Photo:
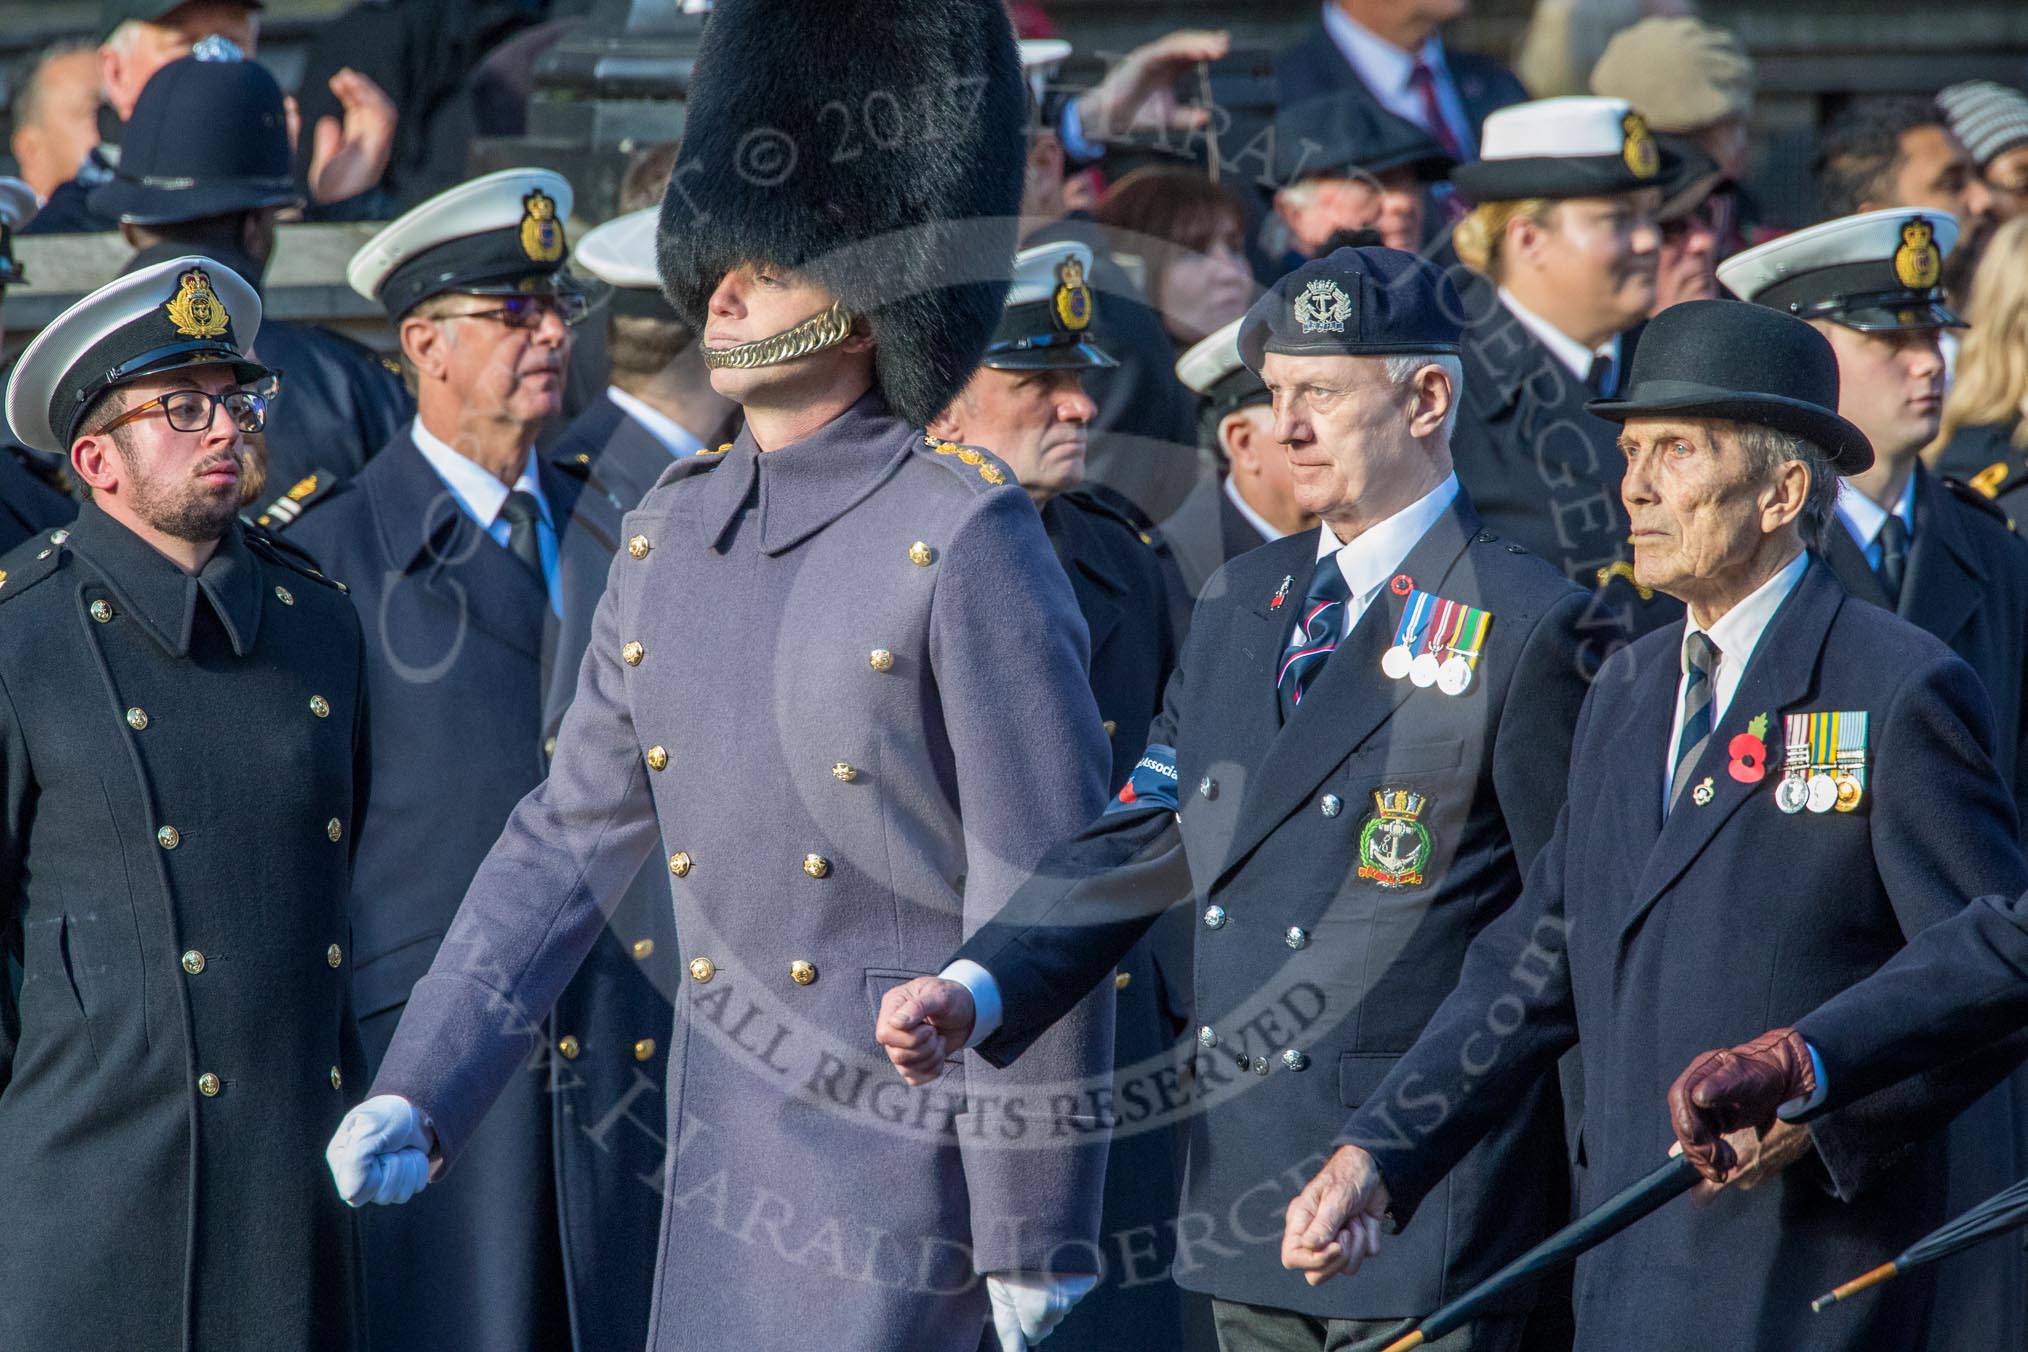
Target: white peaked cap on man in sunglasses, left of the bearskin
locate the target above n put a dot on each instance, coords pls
(494, 236)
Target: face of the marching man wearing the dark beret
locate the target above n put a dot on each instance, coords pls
(1348, 431)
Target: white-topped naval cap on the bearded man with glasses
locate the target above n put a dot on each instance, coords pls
(182, 313)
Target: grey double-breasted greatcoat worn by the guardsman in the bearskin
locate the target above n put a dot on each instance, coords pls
(845, 682)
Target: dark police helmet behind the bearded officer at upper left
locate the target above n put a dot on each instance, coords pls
(208, 137)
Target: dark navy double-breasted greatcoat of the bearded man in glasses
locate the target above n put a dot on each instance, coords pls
(184, 765)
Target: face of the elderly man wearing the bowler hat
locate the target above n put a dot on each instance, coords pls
(1700, 514)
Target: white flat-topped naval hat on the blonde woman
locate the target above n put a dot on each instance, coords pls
(1565, 147)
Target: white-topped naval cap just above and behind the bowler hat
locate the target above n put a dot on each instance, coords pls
(1875, 273)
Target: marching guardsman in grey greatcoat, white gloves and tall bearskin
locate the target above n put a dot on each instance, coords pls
(841, 674)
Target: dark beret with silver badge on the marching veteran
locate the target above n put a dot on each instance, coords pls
(1356, 303)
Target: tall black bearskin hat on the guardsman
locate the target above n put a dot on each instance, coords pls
(871, 145)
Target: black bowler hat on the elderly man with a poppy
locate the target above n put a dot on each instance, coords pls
(1745, 364)
